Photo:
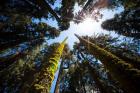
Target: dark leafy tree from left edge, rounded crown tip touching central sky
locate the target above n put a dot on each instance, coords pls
(20, 32)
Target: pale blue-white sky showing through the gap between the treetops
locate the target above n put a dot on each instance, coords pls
(87, 27)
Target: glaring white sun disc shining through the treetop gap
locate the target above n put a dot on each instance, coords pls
(87, 25)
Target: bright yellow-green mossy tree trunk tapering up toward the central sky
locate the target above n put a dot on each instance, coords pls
(43, 80)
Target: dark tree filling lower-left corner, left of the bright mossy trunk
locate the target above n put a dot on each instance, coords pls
(13, 76)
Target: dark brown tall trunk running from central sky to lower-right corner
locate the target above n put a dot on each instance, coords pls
(128, 77)
